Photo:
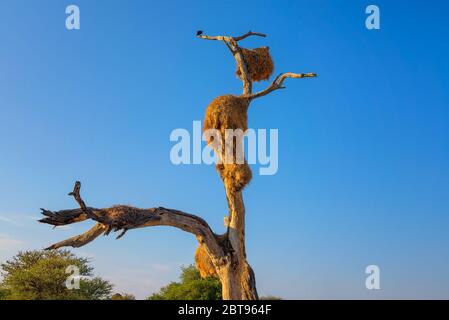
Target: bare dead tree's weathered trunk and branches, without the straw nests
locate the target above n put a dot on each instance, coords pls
(226, 251)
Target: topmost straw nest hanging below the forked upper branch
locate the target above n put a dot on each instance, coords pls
(259, 63)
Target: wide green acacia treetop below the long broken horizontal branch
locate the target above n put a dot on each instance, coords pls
(41, 275)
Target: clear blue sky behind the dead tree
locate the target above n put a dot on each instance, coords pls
(363, 149)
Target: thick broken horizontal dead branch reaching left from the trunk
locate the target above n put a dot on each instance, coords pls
(124, 218)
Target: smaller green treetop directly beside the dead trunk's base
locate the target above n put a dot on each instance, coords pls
(190, 287)
